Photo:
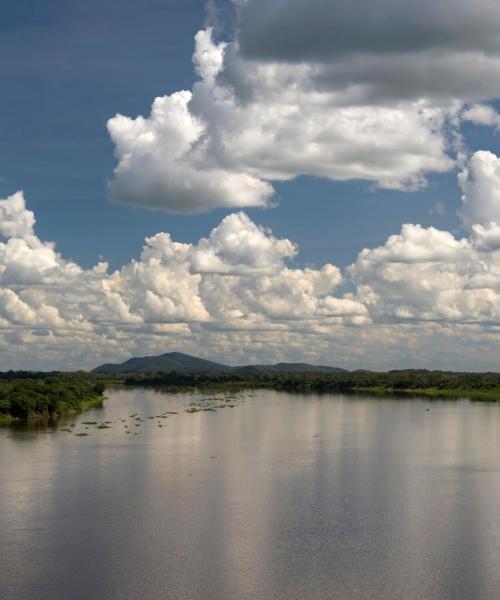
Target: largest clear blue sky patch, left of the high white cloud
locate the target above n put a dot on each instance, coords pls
(66, 68)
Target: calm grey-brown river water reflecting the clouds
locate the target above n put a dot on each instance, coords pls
(281, 497)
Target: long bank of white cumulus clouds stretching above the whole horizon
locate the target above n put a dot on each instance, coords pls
(423, 296)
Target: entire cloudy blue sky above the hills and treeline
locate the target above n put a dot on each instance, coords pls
(250, 181)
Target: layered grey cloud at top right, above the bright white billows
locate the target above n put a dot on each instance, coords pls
(392, 49)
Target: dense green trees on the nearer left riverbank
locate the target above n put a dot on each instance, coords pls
(25, 395)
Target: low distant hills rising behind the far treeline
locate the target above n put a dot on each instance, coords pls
(184, 363)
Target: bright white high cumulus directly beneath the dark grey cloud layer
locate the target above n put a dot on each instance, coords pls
(247, 123)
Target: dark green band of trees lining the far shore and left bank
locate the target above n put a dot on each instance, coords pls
(25, 394)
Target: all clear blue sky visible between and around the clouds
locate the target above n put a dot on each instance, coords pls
(67, 67)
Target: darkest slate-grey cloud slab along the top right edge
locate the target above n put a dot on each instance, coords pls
(297, 30)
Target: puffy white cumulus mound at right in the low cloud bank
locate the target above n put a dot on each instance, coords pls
(424, 274)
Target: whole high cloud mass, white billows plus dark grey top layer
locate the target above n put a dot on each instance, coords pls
(331, 89)
